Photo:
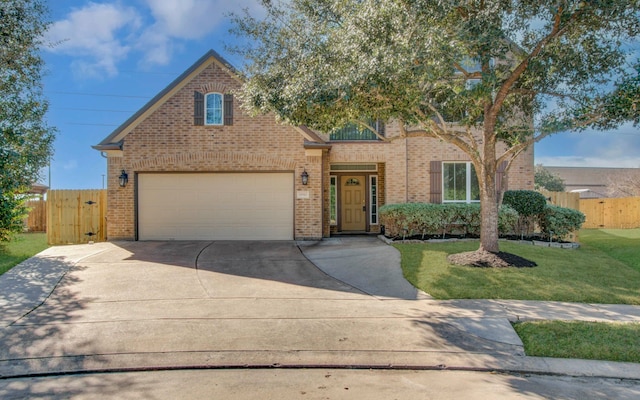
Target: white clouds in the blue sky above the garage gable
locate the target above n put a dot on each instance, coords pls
(102, 35)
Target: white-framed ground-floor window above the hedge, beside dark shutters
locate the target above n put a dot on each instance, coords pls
(459, 183)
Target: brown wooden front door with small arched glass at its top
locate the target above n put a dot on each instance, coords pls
(353, 203)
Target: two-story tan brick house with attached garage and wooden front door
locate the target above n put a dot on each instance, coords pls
(198, 167)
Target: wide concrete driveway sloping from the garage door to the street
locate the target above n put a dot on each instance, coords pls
(139, 305)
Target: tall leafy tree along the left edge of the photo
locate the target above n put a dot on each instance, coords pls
(25, 137)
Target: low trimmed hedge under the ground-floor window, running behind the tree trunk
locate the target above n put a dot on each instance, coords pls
(427, 219)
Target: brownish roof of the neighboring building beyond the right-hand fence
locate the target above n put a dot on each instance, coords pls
(593, 182)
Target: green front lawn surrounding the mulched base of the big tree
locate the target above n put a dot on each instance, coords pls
(605, 269)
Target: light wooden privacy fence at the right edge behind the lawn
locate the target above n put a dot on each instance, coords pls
(614, 213)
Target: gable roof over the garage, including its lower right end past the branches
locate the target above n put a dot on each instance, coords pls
(113, 142)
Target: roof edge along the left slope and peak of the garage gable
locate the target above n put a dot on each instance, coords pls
(124, 127)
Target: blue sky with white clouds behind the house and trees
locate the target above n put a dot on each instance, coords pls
(109, 58)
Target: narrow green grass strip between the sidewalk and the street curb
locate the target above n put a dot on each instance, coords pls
(586, 340)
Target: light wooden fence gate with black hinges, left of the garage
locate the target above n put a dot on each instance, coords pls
(76, 216)
